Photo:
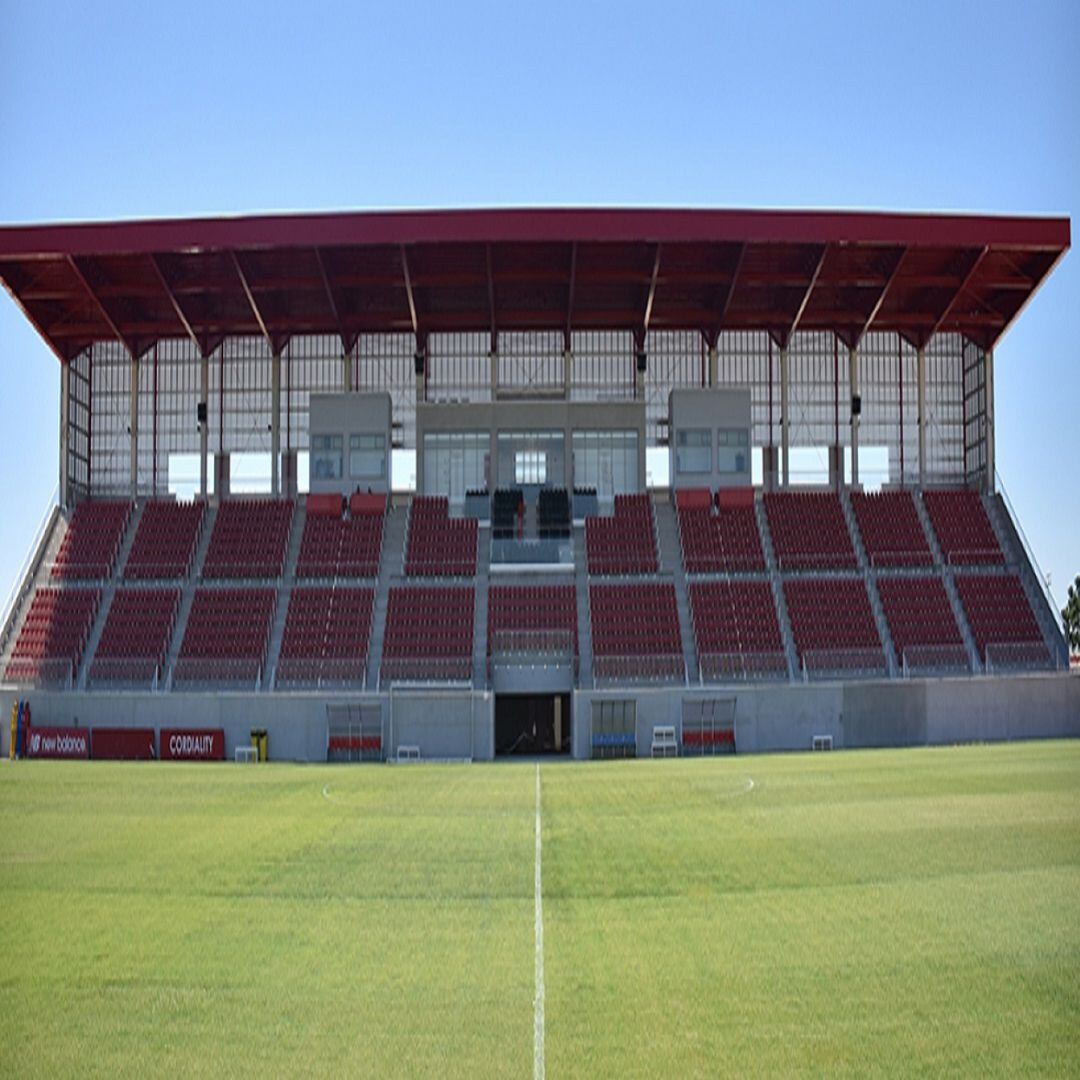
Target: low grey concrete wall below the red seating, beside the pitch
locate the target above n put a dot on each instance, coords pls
(462, 723)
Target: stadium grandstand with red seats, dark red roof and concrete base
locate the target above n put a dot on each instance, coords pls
(464, 484)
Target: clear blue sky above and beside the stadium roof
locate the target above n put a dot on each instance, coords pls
(145, 110)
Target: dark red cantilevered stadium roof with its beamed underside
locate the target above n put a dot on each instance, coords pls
(563, 271)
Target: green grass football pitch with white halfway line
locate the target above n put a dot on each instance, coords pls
(913, 912)
